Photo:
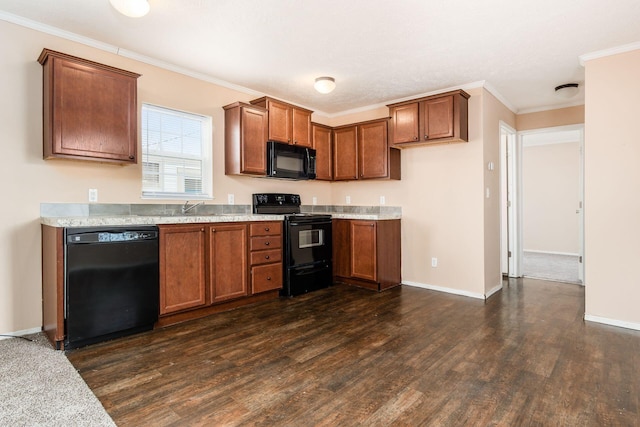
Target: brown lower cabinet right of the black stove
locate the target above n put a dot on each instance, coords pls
(367, 253)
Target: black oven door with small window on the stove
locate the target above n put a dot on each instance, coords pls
(308, 241)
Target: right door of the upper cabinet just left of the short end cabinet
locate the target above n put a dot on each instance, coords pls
(373, 150)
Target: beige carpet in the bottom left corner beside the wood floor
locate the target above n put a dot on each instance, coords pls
(40, 387)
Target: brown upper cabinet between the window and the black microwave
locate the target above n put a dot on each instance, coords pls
(245, 139)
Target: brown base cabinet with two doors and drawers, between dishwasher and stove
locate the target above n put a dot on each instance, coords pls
(206, 268)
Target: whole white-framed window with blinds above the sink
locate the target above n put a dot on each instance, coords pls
(176, 154)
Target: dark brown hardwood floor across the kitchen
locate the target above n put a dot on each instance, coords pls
(407, 356)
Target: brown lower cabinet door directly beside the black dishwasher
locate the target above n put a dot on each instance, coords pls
(182, 267)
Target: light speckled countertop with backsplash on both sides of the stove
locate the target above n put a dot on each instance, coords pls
(96, 215)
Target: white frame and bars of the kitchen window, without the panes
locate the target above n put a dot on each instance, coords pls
(205, 158)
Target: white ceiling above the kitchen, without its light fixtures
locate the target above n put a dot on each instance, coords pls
(377, 50)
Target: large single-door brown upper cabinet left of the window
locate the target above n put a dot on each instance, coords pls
(89, 110)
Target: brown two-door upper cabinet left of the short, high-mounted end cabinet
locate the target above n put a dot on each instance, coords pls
(361, 151)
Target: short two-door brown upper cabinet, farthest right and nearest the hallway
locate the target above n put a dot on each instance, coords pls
(436, 119)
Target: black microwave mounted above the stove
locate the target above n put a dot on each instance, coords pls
(290, 161)
